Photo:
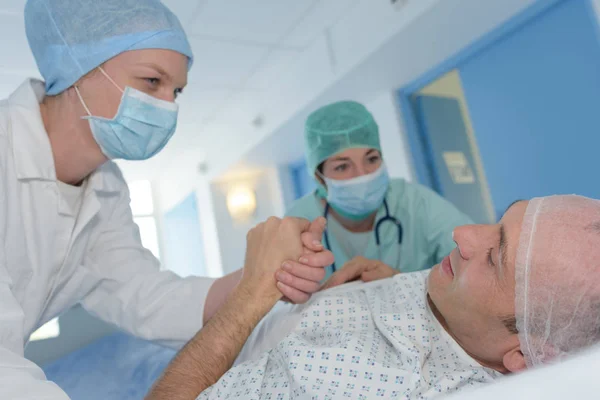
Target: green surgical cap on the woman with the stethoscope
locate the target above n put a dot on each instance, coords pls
(338, 127)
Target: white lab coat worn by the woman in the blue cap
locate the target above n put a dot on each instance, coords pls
(106, 269)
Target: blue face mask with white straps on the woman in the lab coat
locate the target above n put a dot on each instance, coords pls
(141, 128)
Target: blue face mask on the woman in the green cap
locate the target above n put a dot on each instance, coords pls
(357, 198)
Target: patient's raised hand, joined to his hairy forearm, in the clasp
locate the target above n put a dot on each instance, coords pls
(272, 243)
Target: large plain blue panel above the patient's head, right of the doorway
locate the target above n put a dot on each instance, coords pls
(534, 101)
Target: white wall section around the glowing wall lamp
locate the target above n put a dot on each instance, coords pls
(232, 234)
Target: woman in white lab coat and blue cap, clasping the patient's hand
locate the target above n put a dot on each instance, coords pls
(112, 70)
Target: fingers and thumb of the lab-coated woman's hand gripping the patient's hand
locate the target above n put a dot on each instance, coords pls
(299, 279)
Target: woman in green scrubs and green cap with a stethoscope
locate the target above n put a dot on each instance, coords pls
(386, 225)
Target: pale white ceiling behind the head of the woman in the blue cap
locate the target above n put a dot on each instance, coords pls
(242, 48)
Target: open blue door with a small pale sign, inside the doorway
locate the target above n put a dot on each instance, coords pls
(451, 162)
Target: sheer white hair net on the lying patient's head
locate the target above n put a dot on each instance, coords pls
(557, 276)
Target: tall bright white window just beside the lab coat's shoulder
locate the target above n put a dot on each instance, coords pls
(142, 206)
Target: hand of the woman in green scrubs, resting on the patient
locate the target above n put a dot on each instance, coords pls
(360, 268)
